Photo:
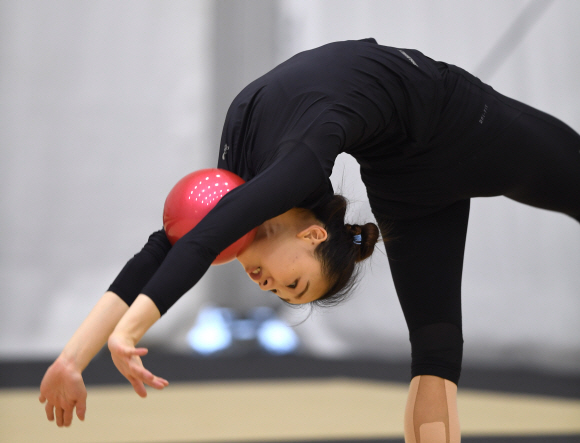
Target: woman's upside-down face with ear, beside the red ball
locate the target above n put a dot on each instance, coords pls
(282, 261)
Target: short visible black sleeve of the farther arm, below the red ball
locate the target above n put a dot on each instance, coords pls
(141, 267)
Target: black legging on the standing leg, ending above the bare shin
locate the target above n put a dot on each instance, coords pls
(426, 262)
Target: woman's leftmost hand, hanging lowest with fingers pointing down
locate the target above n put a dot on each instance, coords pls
(63, 389)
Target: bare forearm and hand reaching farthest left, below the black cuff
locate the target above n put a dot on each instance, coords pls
(62, 387)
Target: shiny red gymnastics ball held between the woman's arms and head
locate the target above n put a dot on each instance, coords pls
(192, 198)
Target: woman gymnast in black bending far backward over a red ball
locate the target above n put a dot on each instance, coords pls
(428, 137)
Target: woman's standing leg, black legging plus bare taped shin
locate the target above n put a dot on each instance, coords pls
(426, 261)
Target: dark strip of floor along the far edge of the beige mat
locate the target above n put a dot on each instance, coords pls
(183, 368)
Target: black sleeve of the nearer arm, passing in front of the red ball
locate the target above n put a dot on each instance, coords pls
(292, 178)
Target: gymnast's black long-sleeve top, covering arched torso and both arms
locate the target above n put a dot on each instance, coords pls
(282, 135)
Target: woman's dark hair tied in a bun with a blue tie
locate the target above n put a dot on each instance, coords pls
(339, 254)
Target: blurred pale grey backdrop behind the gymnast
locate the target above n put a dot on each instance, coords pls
(104, 105)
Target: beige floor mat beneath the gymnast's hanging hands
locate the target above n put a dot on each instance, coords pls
(272, 411)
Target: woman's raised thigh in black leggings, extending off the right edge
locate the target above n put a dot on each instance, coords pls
(535, 161)
